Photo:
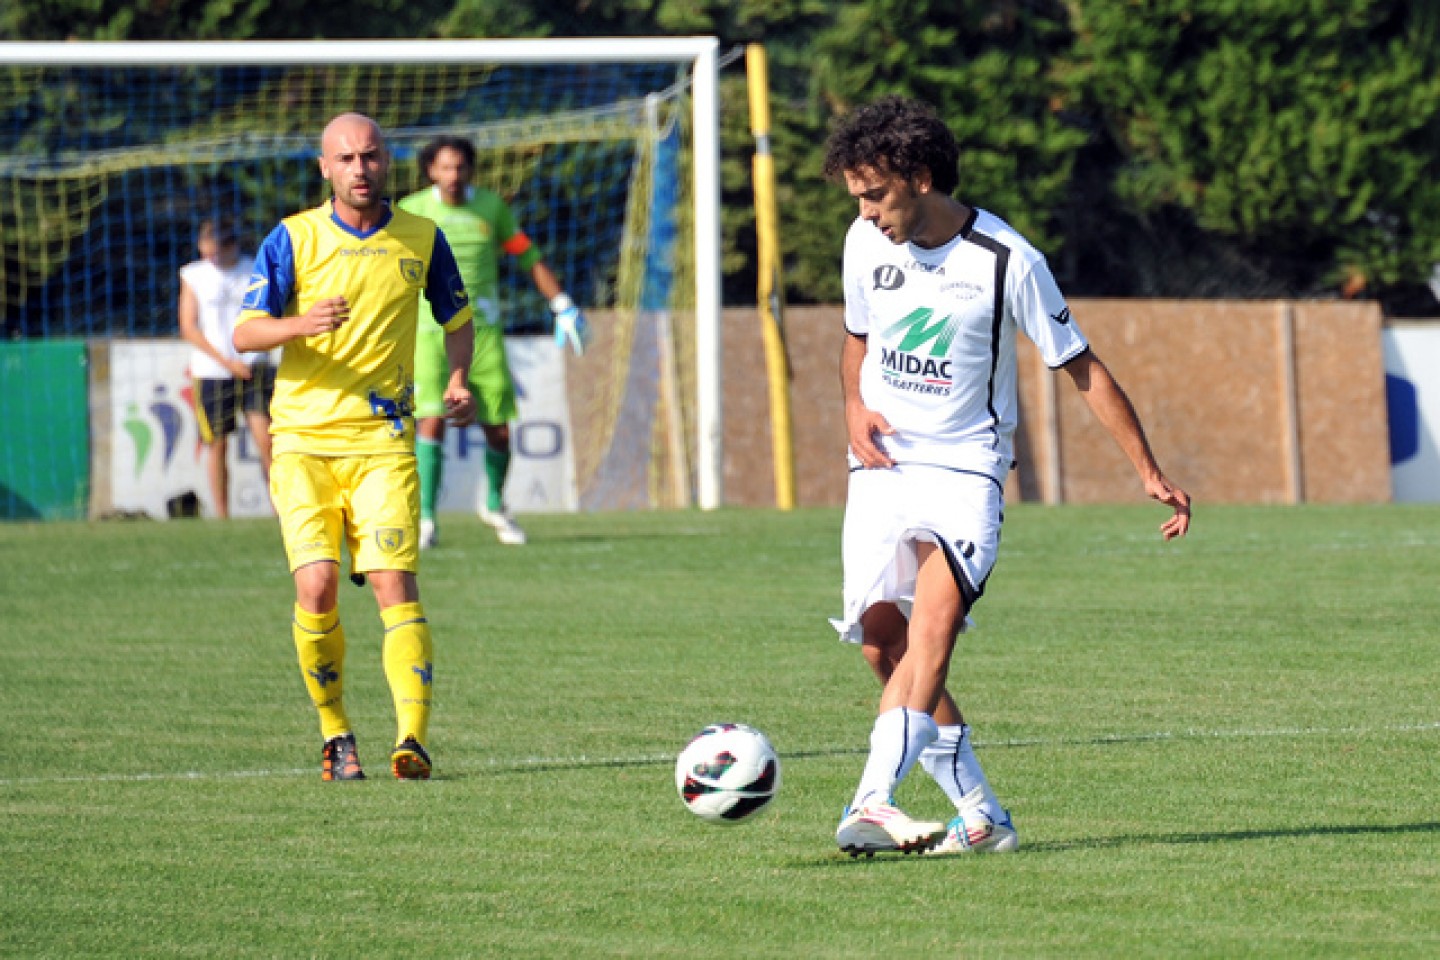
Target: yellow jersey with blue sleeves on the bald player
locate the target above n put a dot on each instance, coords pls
(352, 392)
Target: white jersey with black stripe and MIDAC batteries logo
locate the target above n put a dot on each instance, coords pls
(941, 339)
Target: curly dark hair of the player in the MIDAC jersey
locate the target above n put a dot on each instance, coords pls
(899, 136)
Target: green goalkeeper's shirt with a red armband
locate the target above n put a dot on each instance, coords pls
(477, 232)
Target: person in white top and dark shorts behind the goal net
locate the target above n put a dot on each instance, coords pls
(227, 384)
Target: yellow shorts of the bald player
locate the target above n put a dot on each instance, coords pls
(371, 503)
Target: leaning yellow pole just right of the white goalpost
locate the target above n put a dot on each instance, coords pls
(770, 293)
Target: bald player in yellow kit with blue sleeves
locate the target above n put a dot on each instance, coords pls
(339, 289)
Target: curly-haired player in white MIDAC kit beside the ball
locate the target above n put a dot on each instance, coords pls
(935, 296)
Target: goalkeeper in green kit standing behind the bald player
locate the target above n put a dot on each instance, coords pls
(479, 227)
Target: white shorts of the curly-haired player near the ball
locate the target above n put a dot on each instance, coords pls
(889, 512)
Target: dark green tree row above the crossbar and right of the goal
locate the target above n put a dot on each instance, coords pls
(1150, 148)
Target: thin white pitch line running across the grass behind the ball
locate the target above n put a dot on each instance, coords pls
(644, 761)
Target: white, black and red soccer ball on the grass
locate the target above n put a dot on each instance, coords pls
(728, 772)
